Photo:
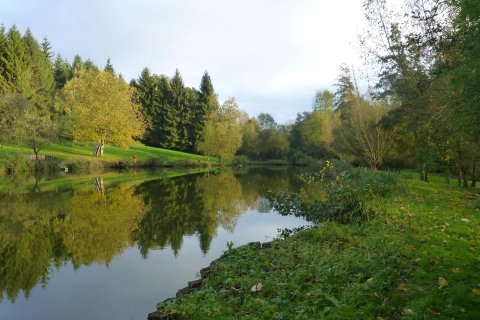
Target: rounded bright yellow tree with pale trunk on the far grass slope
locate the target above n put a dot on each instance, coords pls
(102, 110)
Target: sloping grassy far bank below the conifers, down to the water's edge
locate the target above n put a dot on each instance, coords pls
(80, 156)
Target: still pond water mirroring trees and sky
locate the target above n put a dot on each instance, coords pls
(112, 246)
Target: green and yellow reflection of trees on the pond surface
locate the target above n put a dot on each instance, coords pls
(89, 224)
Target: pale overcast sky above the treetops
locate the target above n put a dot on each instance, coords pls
(271, 55)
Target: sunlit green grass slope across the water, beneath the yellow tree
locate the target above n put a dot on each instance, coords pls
(75, 152)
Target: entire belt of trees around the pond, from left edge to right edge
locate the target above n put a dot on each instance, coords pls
(422, 111)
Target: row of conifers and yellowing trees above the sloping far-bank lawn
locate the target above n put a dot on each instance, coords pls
(45, 100)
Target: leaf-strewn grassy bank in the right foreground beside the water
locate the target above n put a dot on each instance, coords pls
(418, 259)
